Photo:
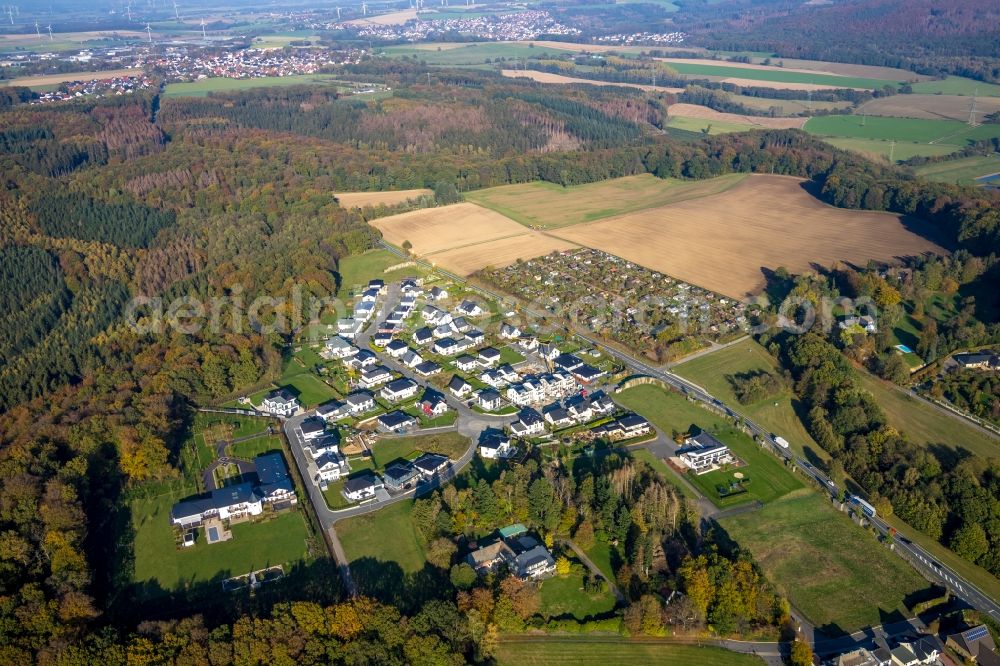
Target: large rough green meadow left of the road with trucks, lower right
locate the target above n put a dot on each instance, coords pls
(832, 571)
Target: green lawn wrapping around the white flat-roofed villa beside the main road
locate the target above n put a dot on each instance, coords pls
(671, 412)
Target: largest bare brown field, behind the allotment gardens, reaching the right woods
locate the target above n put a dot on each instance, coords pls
(724, 242)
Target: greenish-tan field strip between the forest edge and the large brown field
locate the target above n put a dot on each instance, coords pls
(554, 206)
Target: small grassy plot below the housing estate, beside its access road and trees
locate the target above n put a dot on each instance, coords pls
(388, 535)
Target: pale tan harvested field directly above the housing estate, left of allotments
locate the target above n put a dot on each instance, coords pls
(465, 237)
